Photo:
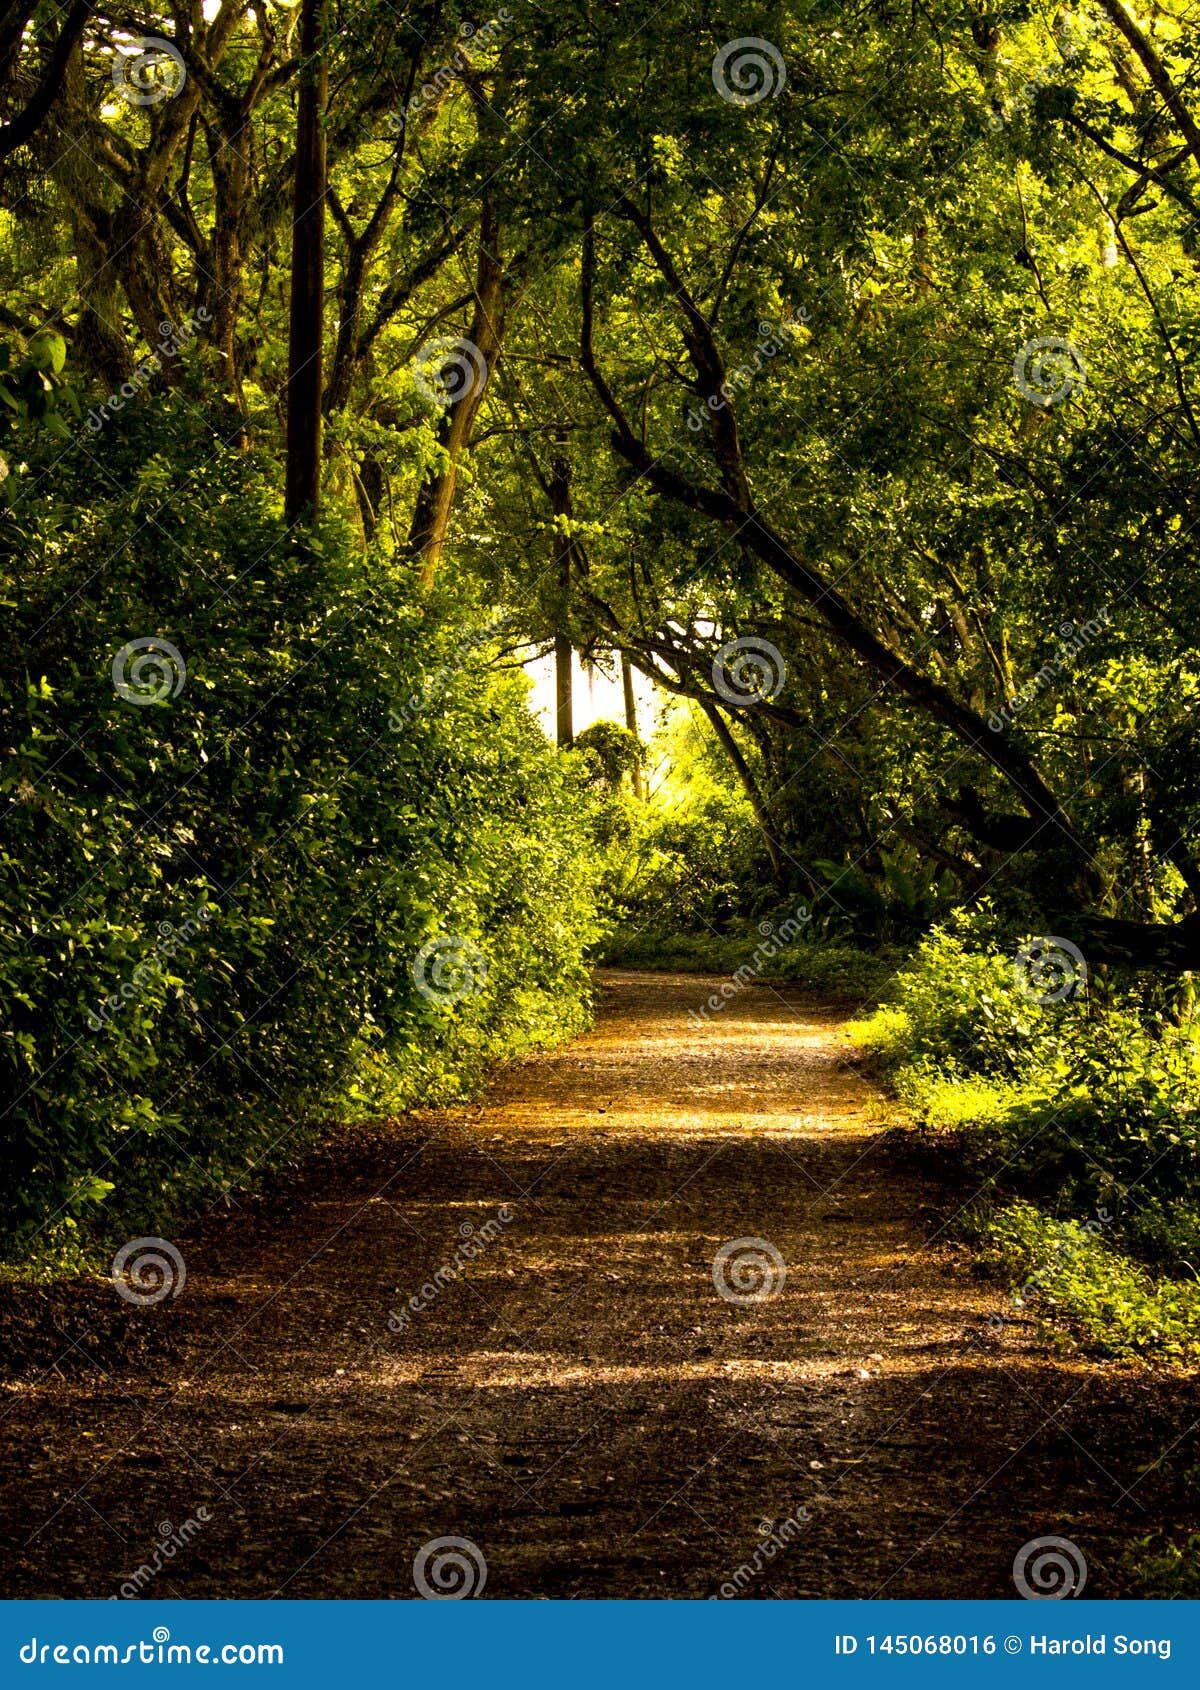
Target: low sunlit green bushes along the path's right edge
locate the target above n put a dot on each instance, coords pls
(1088, 1106)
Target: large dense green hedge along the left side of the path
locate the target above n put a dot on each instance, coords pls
(219, 907)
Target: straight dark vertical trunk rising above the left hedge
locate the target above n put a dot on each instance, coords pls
(307, 329)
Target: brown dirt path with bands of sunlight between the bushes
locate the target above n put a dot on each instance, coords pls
(582, 1402)
